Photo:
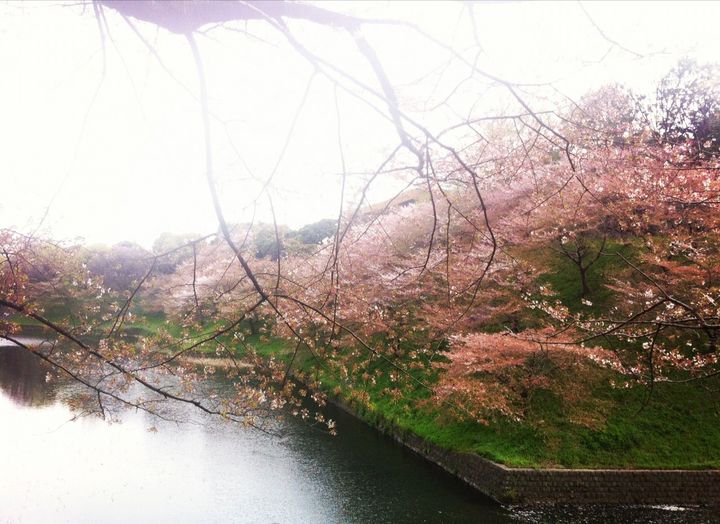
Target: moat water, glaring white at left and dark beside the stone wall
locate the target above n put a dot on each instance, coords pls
(53, 470)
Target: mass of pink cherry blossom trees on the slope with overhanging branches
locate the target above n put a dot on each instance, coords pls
(418, 287)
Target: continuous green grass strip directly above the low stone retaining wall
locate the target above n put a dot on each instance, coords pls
(676, 428)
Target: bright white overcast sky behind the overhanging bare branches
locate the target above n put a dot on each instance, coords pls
(102, 139)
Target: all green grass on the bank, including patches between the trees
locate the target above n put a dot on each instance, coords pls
(677, 426)
